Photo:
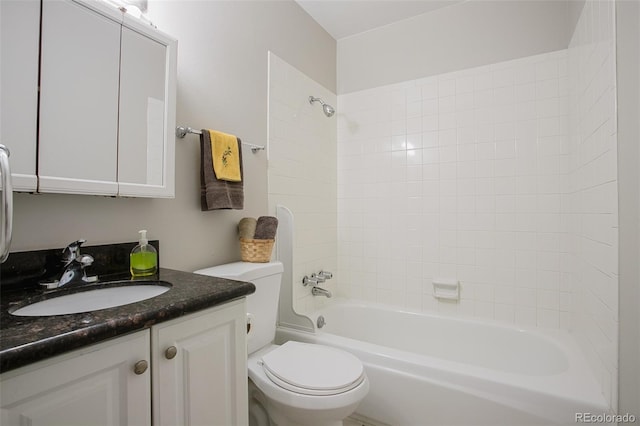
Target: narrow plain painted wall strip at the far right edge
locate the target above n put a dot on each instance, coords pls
(628, 85)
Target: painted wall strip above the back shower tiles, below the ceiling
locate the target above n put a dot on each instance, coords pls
(460, 36)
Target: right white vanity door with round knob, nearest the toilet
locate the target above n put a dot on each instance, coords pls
(206, 382)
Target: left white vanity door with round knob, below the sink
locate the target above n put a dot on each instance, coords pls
(92, 386)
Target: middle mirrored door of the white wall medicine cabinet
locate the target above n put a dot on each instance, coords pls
(80, 57)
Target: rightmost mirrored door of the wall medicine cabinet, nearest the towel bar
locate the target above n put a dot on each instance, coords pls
(146, 138)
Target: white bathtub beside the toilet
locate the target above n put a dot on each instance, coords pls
(428, 369)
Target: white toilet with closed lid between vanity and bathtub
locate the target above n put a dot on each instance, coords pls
(295, 383)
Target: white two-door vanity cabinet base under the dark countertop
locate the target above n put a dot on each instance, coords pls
(196, 374)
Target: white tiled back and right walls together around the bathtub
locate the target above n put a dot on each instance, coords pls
(503, 177)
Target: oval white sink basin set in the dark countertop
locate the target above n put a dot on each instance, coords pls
(91, 300)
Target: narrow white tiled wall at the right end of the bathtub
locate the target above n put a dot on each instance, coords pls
(591, 215)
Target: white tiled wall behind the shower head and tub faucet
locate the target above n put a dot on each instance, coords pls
(302, 173)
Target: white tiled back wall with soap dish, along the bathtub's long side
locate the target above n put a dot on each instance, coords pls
(459, 176)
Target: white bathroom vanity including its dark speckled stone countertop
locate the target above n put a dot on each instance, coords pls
(177, 358)
